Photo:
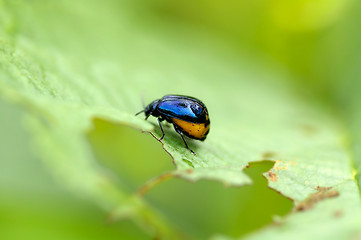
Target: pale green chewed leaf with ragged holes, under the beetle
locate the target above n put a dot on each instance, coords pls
(90, 60)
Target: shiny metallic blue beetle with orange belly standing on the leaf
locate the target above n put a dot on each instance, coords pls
(188, 115)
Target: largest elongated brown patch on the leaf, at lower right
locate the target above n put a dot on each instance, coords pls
(321, 194)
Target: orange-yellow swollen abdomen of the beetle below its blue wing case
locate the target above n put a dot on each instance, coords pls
(193, 130)
